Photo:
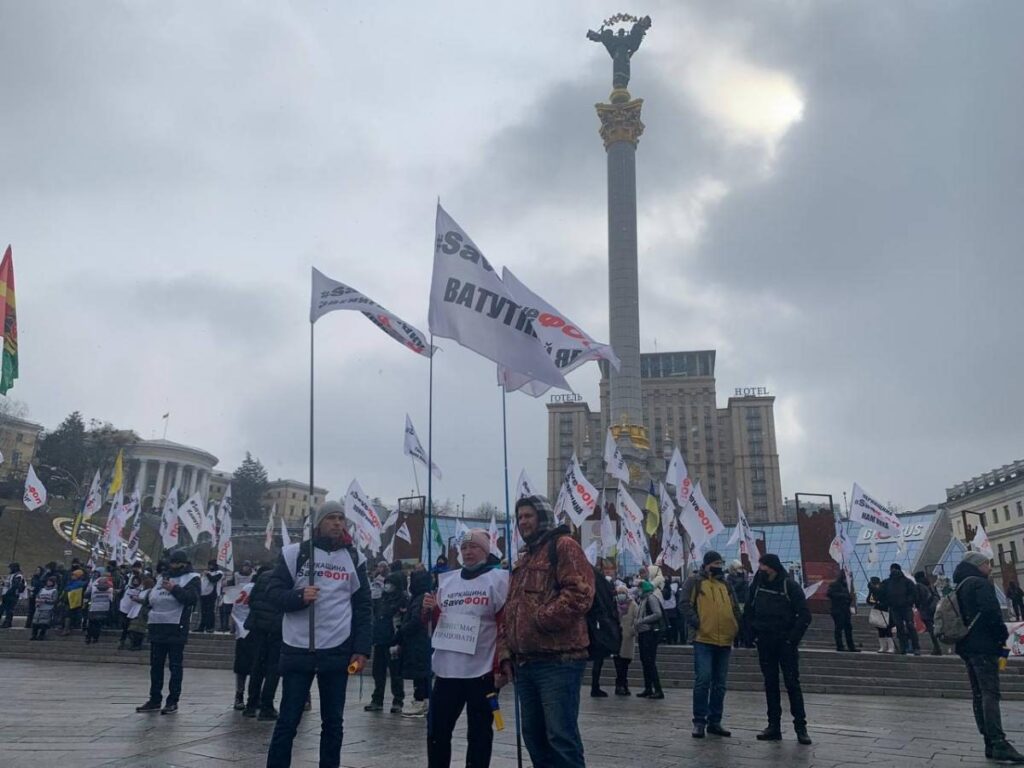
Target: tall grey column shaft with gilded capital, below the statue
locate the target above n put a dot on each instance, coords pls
(621, 131)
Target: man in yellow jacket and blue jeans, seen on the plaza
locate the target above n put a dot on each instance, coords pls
(710, 609)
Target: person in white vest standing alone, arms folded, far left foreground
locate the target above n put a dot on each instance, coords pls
(172, 604)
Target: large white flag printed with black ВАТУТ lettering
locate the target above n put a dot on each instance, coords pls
(471, 305)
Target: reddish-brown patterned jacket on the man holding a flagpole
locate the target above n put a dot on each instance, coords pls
(546, 613)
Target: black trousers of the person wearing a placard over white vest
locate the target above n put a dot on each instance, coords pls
(450, 697)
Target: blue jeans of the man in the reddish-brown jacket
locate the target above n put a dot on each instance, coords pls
(549, 704)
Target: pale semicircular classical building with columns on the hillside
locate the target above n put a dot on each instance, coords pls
(161, 465)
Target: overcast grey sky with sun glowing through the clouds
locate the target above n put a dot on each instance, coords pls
(830, 194)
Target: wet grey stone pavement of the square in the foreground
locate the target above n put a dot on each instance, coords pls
(59, 714)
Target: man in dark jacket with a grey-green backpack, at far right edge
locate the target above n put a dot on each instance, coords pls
(982, 650)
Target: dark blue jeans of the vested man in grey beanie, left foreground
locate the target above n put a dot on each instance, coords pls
(296, 688)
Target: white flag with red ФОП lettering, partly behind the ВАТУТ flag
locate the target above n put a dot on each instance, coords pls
(567, 345)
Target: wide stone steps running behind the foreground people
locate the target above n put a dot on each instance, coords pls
(823, 670)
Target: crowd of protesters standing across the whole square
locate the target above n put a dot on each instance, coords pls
(460, 635)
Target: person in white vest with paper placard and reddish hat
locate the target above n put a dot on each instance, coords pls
(468, 613)
